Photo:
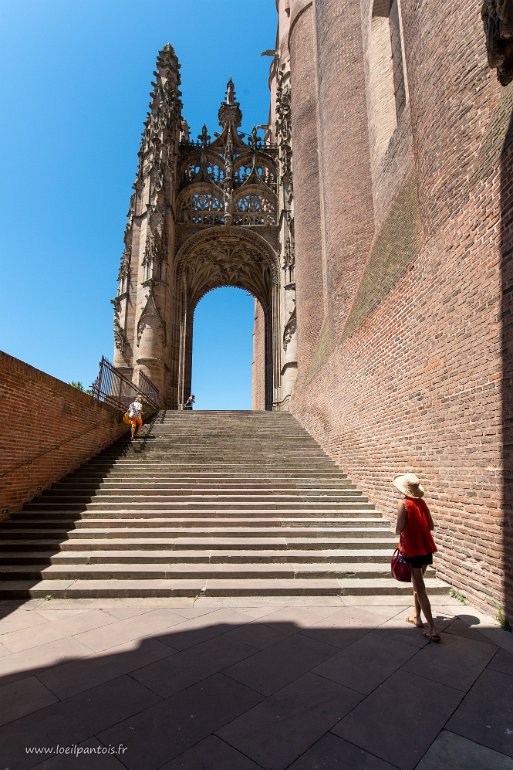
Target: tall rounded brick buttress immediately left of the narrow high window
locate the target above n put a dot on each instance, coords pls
(345, 157)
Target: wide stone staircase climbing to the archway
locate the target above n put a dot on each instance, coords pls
(204, 504)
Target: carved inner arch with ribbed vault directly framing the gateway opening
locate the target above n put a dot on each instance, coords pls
(225, 256)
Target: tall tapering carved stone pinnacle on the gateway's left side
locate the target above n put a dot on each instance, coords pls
(141, 312)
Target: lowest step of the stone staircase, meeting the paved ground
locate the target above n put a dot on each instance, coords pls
(75, 589)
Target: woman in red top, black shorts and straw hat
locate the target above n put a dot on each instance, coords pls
(414, 525)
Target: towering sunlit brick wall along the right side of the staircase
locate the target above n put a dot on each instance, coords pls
(420, 380)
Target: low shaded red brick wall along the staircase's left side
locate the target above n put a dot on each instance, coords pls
(48, 430)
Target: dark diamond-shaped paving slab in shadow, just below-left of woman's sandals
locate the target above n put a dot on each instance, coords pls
(367, 662)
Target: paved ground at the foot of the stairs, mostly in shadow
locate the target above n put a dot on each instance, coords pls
(249, 684)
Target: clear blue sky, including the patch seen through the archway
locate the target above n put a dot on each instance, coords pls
(74, 92)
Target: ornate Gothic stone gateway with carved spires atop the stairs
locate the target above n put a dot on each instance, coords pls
(206, 213)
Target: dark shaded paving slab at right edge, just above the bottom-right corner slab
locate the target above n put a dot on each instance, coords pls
(486, 713)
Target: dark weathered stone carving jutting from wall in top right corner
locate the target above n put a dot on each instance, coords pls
(497, 18)
